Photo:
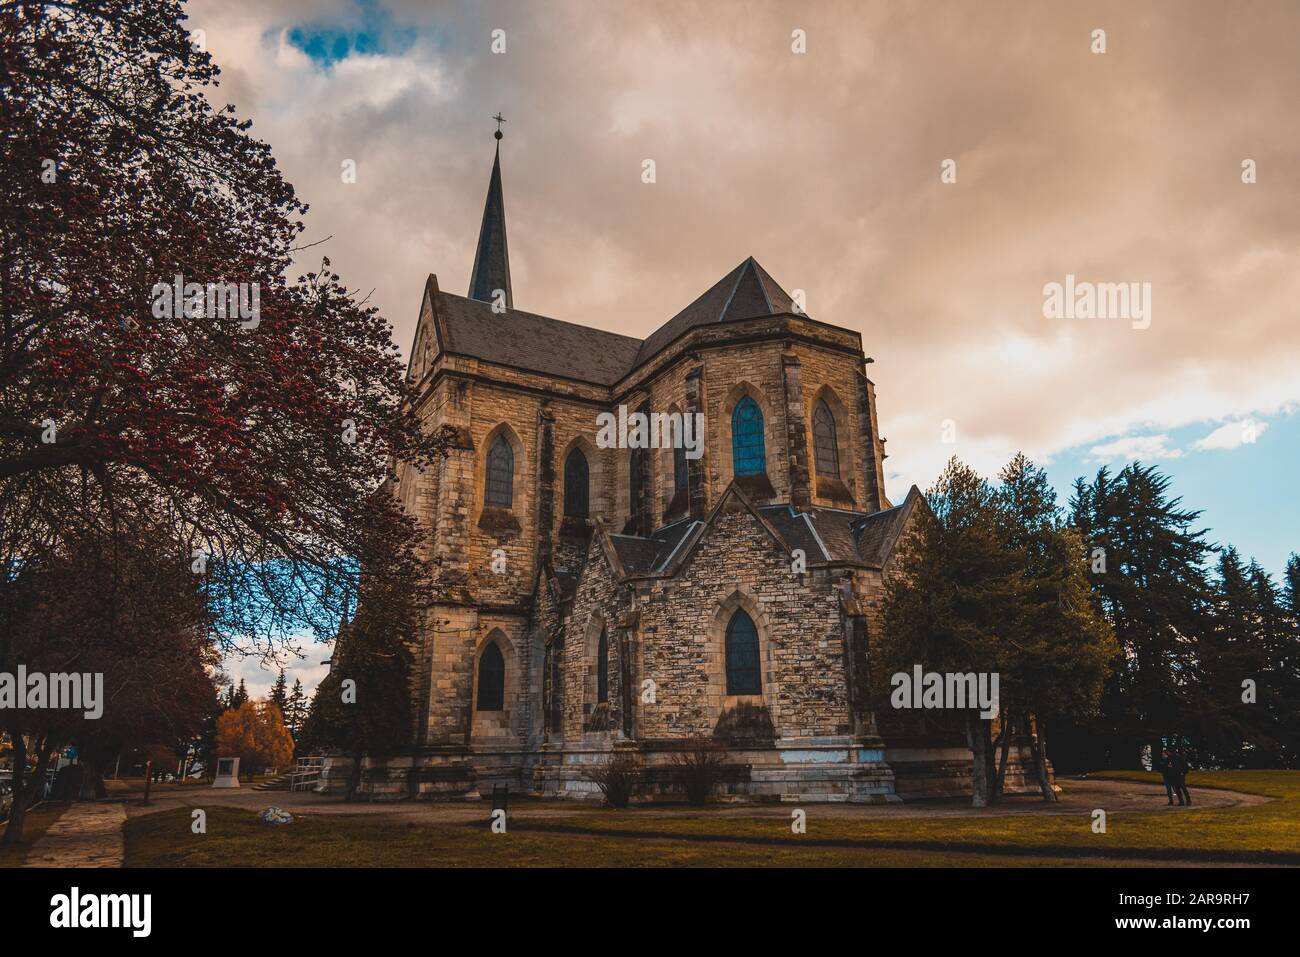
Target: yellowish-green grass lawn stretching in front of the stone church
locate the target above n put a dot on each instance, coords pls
(1267, 833)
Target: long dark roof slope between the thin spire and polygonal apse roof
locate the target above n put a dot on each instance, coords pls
(534, 343)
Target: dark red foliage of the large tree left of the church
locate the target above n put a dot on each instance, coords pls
(262, 436)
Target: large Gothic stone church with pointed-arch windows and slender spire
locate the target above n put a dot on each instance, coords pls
(601, 600)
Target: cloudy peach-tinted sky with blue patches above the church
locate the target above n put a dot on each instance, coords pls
(1117, 167)
